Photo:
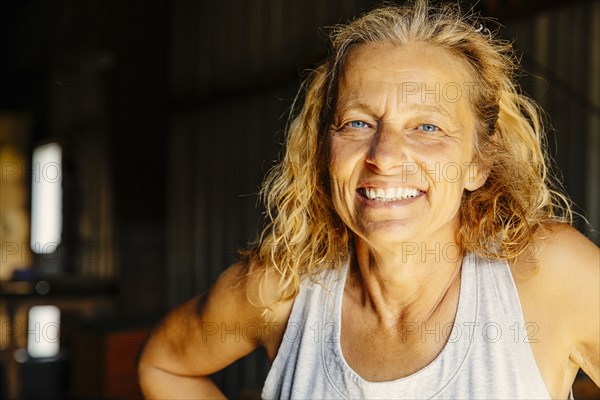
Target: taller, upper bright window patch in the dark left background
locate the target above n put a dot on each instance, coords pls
(46, 198)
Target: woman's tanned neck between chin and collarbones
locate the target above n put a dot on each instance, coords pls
(407, 286)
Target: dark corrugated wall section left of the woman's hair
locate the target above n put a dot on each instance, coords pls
(235, 69)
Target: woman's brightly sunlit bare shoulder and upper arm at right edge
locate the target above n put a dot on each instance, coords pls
(558, 278)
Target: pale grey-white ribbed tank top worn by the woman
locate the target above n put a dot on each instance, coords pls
(487, 354)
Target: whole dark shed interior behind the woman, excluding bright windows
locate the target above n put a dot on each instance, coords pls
(169, 112)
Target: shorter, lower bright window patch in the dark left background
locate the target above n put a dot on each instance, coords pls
(44, 331)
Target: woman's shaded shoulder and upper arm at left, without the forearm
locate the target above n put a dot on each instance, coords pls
(207, 333)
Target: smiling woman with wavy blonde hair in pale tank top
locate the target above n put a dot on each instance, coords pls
(415, 247)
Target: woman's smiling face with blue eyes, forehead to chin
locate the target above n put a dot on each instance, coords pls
(402, 144)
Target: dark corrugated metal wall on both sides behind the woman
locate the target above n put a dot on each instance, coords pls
(235, 68)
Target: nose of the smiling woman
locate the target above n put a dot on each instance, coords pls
(388, 150)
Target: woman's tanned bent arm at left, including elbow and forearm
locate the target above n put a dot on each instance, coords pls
(191, 342)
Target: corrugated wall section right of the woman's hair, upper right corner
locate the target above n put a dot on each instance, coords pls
(561, 53)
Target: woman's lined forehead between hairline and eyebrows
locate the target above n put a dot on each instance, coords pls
(415, 72)
